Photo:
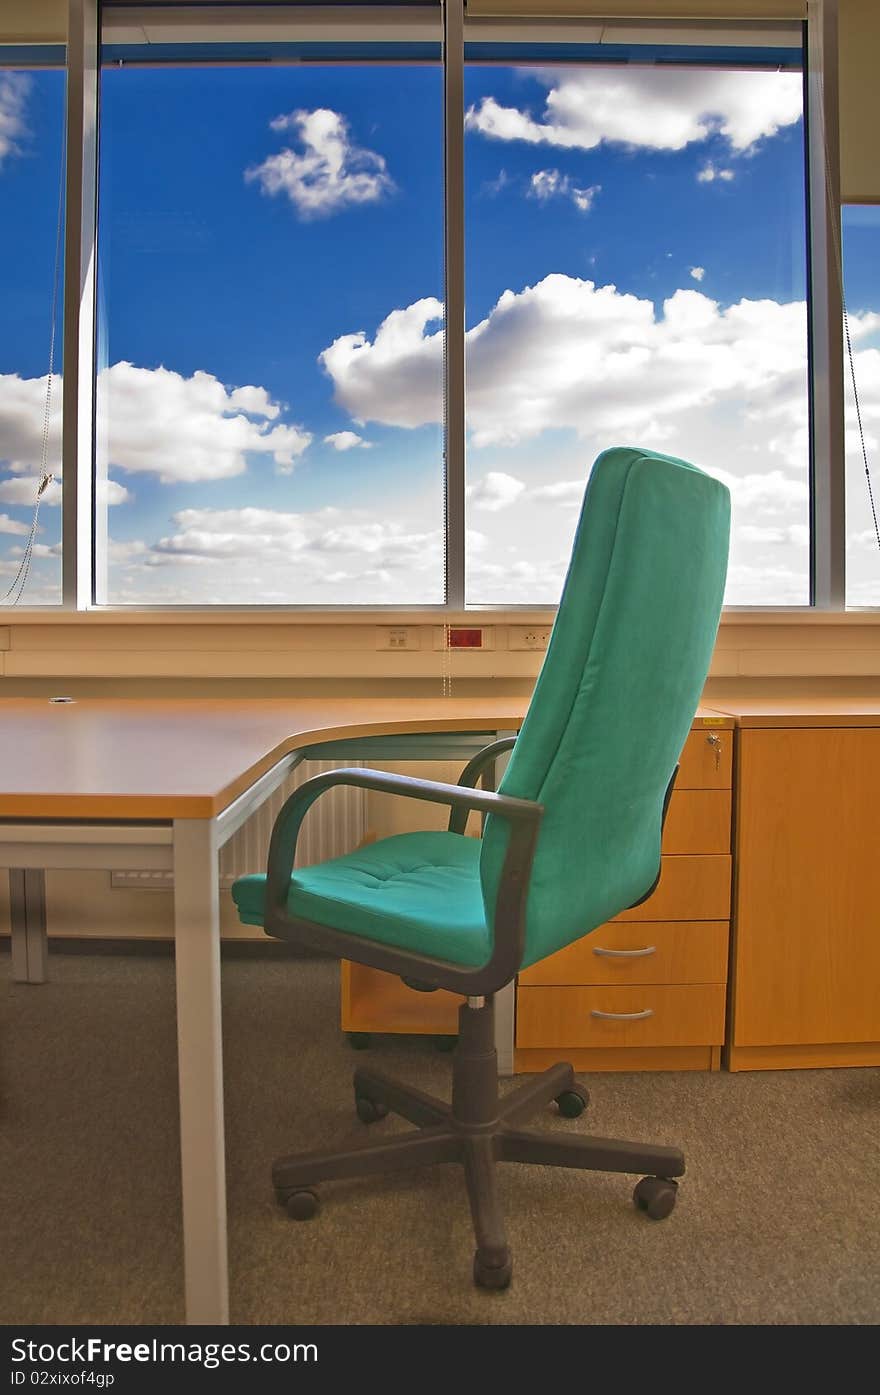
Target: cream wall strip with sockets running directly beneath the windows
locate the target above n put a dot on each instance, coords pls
(271, 652)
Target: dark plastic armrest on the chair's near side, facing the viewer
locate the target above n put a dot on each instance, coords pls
(510, 913)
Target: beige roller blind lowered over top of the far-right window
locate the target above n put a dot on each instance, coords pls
(860, 100)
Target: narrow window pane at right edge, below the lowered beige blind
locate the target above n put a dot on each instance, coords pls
(861, 235)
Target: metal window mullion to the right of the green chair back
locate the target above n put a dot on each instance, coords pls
(825, 301)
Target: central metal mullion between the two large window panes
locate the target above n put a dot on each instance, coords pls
(454, 298)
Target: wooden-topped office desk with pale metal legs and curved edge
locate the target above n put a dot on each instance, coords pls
(162, 785)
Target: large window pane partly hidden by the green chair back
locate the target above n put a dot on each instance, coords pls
(637, 276)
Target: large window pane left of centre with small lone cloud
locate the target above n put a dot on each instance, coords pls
(271, 248)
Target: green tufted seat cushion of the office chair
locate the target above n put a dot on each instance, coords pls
(415, 891)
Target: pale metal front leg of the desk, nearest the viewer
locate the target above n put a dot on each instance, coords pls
(200, 1068)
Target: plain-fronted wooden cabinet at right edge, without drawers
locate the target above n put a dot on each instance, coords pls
(807, 926)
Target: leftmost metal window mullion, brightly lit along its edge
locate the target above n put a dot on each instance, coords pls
(79, 394)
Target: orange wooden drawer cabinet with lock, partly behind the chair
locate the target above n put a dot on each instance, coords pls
(648, 990)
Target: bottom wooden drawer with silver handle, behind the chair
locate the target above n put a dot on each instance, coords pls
(680, 1016)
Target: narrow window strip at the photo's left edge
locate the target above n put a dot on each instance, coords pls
(31, 171)
